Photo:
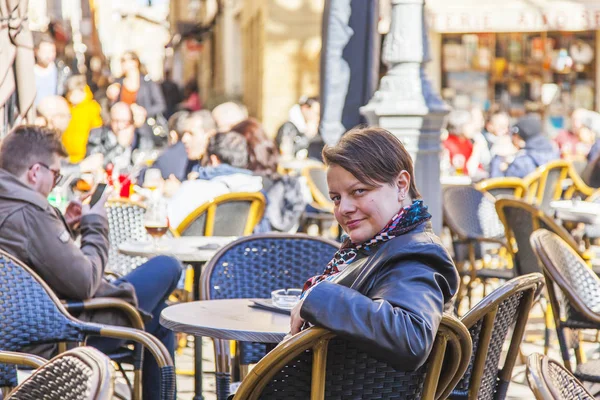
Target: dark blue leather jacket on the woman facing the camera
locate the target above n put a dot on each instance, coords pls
(392, 302)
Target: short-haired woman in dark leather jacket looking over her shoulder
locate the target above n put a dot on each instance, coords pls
(388, 284)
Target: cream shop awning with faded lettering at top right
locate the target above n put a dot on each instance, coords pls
(448, 16)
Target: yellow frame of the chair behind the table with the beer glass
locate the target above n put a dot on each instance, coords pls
(257, 208)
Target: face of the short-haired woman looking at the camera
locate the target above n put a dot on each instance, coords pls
(364, 210)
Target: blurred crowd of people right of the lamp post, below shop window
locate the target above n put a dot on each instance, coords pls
(494, 146)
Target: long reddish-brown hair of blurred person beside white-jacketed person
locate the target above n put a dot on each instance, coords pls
(263, 154)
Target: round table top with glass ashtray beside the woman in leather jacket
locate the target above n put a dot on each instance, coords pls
(226, 319)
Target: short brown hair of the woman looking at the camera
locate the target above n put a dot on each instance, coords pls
(373, 156)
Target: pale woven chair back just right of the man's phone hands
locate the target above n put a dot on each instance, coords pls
(125, 223)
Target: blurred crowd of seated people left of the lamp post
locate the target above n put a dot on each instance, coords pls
(121, 127)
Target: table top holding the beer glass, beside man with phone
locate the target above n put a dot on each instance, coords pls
(186, 249)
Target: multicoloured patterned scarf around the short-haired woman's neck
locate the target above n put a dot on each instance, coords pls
(407, 219)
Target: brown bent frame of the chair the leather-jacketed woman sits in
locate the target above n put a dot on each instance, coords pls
(452, 340)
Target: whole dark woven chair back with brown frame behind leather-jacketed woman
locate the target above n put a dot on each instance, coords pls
(318, 364)
